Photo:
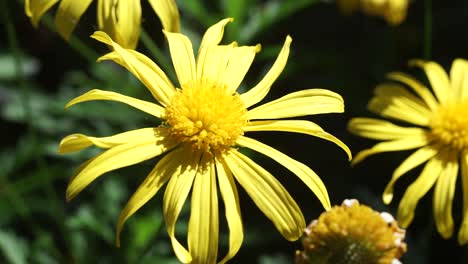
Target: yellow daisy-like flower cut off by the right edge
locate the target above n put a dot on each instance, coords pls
(440, 133)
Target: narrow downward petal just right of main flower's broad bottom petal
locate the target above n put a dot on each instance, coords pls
(228, 191)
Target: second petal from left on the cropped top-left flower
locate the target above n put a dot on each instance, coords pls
(68, 15)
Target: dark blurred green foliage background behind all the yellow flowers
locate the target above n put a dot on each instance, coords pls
(40, 73)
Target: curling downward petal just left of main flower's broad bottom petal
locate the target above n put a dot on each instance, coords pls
(176, 193)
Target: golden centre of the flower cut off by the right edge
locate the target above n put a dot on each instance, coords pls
(449, 126)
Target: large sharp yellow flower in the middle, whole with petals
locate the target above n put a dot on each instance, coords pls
(204, 121)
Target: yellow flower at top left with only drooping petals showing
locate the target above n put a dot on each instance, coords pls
(120, 19)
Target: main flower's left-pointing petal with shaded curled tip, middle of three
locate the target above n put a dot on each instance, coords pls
(77, 142)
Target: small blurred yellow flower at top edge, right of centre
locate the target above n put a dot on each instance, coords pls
(393, 11)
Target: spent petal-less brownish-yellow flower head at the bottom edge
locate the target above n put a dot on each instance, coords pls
(353, 234)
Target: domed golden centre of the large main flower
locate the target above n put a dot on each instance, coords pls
(204, 115)
